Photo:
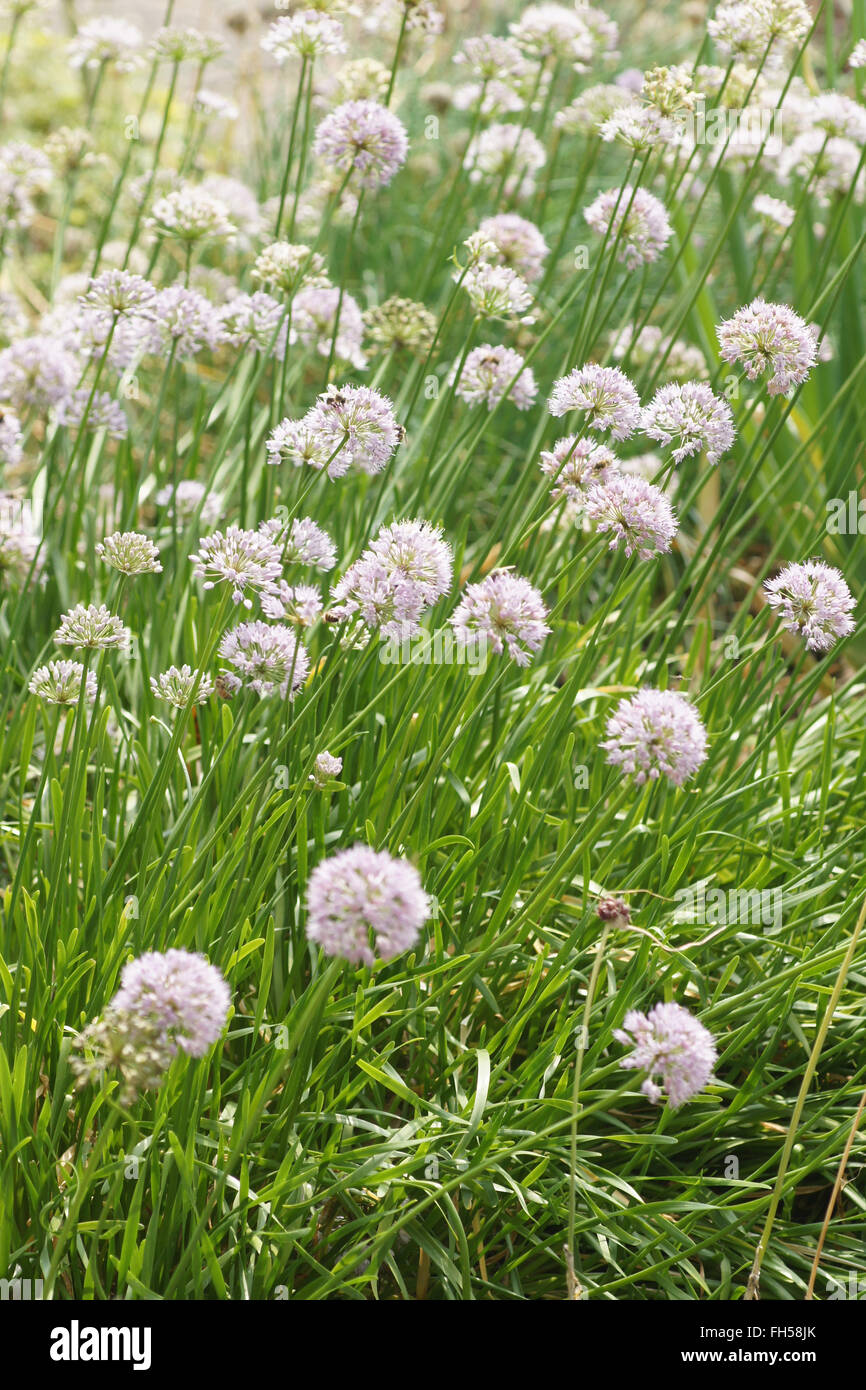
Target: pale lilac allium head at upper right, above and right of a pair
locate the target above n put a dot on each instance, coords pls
(772, 338)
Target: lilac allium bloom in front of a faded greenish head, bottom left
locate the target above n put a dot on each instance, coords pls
(183, 993)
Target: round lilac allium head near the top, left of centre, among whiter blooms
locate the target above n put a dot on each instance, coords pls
(365, 141)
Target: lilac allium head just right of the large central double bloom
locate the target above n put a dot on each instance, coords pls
(507, 612)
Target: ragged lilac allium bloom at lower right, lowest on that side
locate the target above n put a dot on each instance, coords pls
(669, 1043)
